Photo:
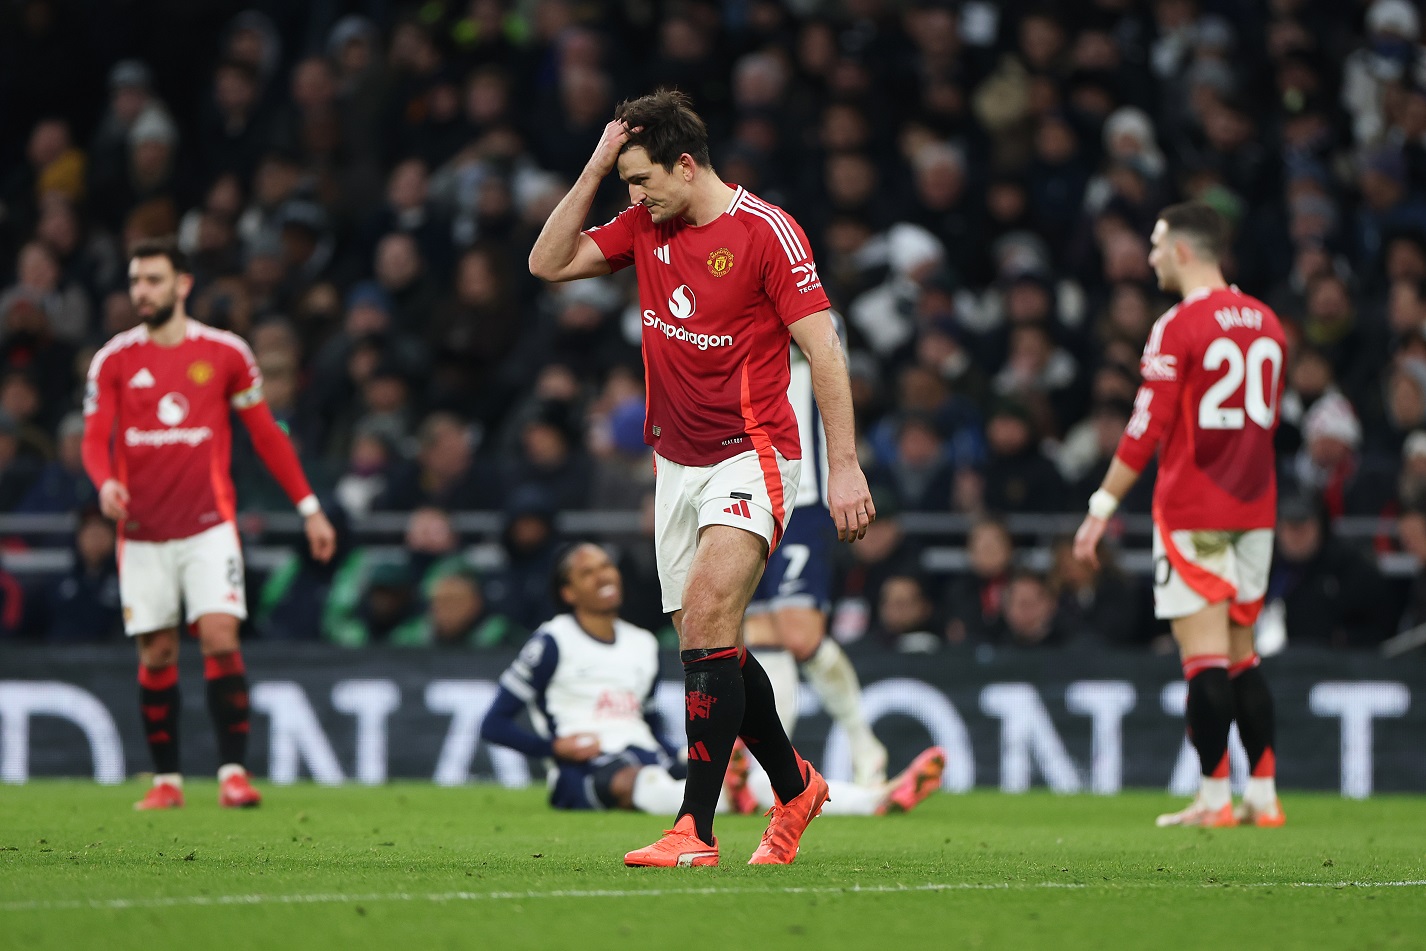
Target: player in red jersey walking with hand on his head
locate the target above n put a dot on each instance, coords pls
(725, 279)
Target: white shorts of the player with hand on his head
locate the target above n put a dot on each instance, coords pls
(741, 493)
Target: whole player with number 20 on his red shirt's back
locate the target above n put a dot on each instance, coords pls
(1213, 379)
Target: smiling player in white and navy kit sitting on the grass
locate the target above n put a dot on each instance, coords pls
(588, 682)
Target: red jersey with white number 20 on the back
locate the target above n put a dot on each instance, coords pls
(1213, 386)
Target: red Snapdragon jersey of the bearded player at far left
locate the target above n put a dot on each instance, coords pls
(169, 413)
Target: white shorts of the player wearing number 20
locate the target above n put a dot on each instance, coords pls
(1194, 570)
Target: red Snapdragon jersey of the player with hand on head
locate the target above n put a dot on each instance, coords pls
(717, 304)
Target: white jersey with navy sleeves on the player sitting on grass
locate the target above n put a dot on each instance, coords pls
(574, 684)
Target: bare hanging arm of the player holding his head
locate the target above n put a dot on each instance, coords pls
(849, 500)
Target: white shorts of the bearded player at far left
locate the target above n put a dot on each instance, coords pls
(205, 571)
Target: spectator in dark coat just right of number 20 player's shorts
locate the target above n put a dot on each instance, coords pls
(1331, 595)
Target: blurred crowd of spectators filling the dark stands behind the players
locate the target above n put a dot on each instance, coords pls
(360, 182)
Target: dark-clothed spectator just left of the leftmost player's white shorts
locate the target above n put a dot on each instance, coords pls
(82, 605)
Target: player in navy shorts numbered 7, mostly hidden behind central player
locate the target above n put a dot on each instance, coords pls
(786, 622)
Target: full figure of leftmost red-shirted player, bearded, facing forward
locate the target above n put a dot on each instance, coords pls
(158, 441)
